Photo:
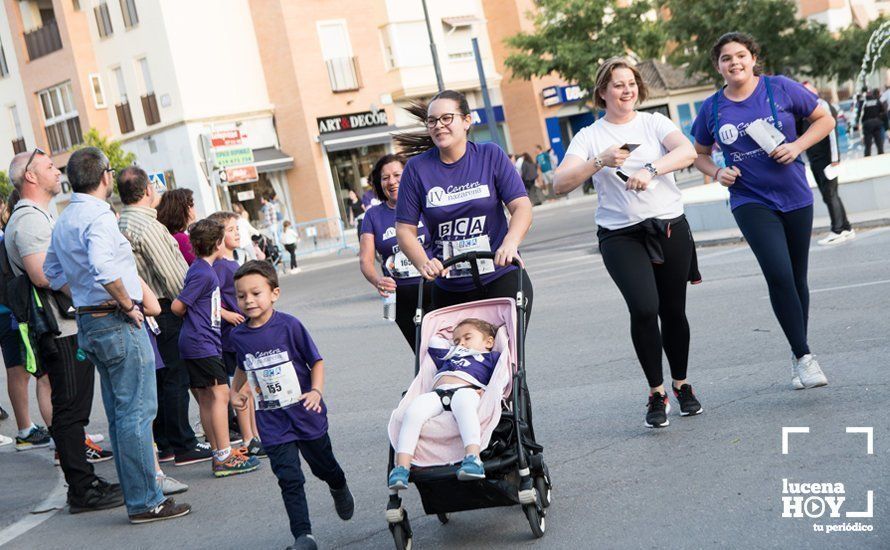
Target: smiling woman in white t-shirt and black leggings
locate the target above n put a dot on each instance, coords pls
(644, 238)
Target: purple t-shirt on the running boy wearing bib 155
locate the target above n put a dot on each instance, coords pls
(283, 338)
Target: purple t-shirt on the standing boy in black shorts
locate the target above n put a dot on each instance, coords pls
(200, 334)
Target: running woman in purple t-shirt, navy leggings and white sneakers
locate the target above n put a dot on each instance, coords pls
(769, 194)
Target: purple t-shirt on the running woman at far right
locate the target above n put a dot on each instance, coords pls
(763, 181)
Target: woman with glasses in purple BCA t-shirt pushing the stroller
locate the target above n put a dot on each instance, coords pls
(461, 188)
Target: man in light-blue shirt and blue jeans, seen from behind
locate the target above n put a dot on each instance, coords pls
(89, 254)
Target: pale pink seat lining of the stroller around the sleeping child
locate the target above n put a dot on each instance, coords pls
(440, 441)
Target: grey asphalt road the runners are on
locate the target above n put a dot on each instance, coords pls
(715, 480)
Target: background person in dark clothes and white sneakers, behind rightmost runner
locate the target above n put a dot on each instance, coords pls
(824, 158)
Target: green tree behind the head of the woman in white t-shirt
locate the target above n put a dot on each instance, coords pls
(572, 38)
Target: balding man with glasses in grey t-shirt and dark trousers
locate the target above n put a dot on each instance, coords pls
(27, 239)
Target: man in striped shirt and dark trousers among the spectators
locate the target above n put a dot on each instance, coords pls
(162, 266)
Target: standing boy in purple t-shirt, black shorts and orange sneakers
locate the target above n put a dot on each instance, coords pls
(200, 347)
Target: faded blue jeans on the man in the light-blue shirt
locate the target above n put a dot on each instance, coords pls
(125, 362)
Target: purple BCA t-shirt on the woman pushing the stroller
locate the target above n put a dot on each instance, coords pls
(460, 200)
